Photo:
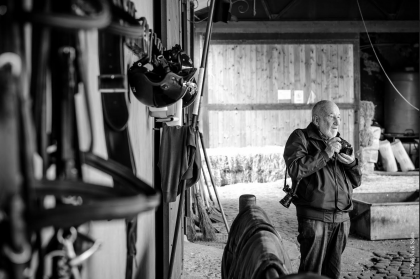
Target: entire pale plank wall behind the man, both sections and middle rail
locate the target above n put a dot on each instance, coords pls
(240, 75)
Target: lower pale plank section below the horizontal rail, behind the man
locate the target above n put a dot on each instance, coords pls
(266, 127)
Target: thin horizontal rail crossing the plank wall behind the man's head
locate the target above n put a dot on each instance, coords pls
(278, 106)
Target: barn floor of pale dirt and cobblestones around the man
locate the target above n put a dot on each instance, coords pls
(360, 258)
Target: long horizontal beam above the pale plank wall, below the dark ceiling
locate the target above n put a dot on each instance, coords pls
(385, 26)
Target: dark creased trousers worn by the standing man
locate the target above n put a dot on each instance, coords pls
(321, 246)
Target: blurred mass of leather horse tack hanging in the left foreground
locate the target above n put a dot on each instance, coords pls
(32, 200)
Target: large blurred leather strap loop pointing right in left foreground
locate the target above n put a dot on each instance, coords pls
(99, 202)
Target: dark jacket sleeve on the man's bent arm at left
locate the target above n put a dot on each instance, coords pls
(300, 163)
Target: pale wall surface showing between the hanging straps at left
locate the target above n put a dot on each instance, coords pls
(109, 262)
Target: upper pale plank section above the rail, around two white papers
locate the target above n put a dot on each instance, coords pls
(253, 73)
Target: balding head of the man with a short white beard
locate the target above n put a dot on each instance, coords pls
(329, 120)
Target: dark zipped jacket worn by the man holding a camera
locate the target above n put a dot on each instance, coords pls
(326, 185)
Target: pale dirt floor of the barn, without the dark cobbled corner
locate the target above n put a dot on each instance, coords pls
(202, 259)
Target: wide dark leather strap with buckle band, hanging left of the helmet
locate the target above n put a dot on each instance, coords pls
(115, 108)
